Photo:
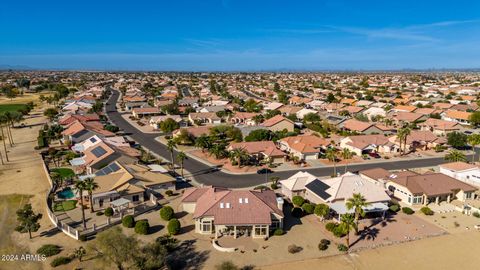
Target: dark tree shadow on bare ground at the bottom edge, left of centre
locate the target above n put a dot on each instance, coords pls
(186, 257)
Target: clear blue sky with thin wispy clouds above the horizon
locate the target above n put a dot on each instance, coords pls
(206, 35)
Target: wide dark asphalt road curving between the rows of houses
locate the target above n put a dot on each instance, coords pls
(207, 175)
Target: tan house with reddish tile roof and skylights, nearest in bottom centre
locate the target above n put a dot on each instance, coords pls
(224, 212)
